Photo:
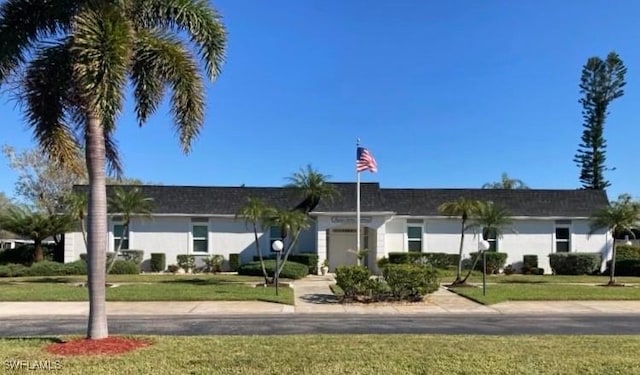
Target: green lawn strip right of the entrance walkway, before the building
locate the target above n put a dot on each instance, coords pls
(502, 292)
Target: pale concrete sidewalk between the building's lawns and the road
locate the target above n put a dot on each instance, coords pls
(313, 296)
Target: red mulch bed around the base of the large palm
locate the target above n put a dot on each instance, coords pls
(109, 346)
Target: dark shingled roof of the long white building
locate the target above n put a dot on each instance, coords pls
(203, 200)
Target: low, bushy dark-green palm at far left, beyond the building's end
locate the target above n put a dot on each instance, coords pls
(36, 226)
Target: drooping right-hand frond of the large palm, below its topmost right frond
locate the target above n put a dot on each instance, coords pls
(165, 57)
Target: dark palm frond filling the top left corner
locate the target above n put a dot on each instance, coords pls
(23, 23)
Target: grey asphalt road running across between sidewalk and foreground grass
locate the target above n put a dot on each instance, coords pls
(331, 324)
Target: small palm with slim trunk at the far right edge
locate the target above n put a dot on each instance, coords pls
(620, 218)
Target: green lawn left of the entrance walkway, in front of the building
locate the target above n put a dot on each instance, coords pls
(176, 289)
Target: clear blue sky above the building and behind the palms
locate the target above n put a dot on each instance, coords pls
(444, 94)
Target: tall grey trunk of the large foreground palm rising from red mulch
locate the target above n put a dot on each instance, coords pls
(97, 228)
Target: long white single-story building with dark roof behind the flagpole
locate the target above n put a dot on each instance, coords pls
(202, 221)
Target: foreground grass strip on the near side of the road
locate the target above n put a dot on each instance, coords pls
(352, 354)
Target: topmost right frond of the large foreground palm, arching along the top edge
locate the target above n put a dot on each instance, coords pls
(195, 17)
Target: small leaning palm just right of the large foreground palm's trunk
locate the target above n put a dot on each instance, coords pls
(126, 203)
